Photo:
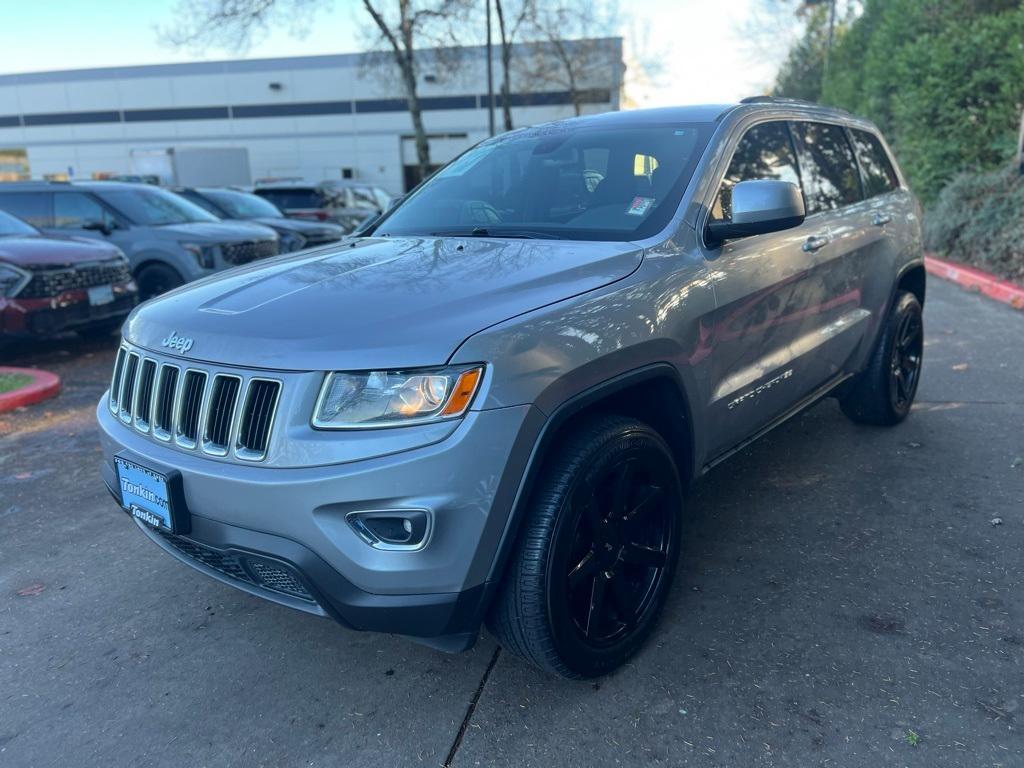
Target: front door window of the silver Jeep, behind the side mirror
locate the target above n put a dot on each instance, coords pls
(764, 152)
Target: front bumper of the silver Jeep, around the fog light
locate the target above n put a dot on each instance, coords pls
(282, 534)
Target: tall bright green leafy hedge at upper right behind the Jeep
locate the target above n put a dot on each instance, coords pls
(944, 79)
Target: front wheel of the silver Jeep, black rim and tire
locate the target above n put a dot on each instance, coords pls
(602, 530)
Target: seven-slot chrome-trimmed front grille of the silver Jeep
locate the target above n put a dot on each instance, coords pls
(220, 413)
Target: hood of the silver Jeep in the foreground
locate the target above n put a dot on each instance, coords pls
(374, 304)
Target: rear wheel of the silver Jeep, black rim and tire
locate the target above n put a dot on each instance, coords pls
(884, 393)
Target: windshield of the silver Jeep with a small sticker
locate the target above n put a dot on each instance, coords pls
(562, 181)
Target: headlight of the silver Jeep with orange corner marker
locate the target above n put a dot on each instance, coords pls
(394, 399)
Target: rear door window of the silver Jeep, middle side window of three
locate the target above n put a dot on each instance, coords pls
(827, 166)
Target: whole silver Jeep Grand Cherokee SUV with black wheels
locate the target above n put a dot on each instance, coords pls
(487, 408)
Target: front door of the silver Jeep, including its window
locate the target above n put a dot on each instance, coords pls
(770, 294)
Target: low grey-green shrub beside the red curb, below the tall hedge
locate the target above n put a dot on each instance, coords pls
(979, 220)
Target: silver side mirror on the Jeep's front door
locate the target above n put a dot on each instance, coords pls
(760, 207)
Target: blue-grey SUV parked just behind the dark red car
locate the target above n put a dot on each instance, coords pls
(168, 241)
